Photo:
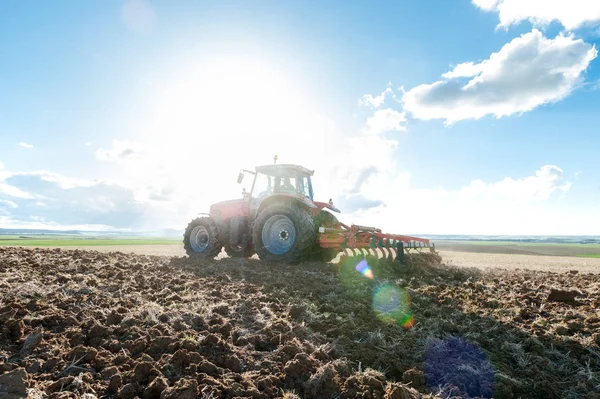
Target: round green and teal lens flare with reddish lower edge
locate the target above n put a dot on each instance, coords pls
(392, 305)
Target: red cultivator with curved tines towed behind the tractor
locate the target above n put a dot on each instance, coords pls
(360, 241)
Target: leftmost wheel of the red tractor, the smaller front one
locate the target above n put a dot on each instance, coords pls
(201, 239)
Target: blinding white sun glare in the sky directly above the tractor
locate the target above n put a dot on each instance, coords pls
(222, 114)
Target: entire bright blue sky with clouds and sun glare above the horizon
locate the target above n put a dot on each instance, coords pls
(470, 117)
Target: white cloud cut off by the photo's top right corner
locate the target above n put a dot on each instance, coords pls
(572, 14)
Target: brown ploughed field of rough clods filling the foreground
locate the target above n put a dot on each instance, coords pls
(111, 324)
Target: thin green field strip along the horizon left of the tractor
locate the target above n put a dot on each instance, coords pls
(53, 241)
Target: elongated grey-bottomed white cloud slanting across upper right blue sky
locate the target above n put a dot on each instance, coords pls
(527, 72)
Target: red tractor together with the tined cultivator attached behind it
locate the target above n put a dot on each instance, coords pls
(281, 222)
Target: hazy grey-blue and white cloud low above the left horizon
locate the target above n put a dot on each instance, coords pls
(71, 202)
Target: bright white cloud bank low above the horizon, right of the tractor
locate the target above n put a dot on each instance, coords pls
(537, 204)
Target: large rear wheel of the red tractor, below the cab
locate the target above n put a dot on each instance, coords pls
(284, 233)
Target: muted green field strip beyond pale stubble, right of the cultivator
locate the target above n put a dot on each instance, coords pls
(526, 248)
